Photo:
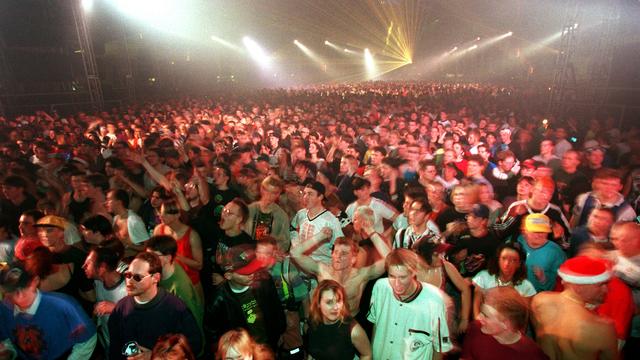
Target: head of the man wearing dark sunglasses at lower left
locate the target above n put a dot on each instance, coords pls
(143, 275)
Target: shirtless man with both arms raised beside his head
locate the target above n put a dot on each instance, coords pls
(343, 259)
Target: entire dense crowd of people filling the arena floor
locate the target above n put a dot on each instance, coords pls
(380, 220)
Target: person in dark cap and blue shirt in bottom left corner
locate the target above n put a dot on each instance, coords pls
(40, 325)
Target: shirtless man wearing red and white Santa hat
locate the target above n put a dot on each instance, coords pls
(565, 326)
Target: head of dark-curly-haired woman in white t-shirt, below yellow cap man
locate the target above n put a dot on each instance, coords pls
(509, 263)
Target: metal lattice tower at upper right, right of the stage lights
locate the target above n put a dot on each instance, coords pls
(564, 86)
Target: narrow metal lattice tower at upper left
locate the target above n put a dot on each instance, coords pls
(94, 86)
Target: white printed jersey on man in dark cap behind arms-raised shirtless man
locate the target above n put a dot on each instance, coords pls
(307, 228)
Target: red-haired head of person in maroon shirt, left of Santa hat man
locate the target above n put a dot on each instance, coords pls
(504, 310)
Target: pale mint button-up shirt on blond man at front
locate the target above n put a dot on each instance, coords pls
(408, 331)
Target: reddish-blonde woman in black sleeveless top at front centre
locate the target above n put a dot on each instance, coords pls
(333, 334)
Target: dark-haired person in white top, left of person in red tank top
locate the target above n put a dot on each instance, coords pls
(127, 225)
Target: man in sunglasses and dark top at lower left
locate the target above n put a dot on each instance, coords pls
(148, 312)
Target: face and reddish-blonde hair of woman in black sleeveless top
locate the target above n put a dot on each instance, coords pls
(328, 303)
